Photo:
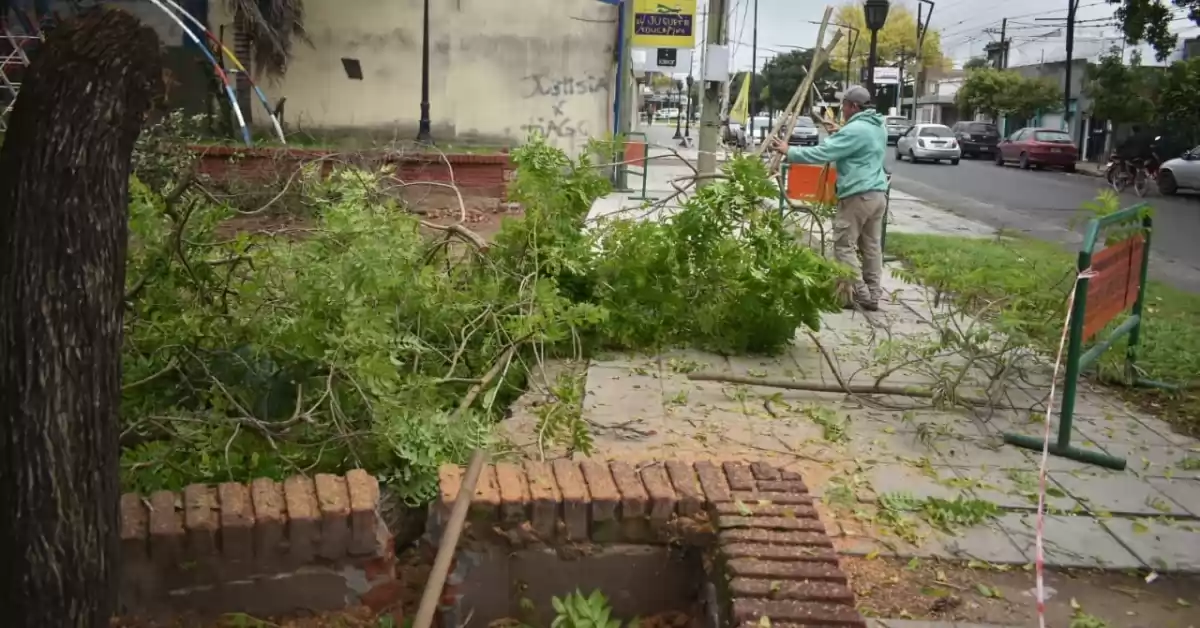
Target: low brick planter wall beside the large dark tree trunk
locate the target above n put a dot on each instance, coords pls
(267, 548)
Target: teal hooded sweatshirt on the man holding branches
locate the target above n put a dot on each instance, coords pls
(856, 151)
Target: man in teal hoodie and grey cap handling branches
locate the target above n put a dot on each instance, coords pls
(857, 151)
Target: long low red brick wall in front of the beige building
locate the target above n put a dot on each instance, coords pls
(485, 176)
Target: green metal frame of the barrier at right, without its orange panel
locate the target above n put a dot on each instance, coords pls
(1079, 361)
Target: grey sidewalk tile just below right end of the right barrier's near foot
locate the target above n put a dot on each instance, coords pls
(1120, 494)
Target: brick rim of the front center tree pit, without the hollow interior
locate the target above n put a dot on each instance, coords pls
(770, 552)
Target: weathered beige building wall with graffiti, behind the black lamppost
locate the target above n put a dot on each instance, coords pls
(499, 69)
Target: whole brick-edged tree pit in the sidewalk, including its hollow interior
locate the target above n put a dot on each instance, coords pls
(729, 545)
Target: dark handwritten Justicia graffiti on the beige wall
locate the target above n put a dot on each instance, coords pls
(559, 106)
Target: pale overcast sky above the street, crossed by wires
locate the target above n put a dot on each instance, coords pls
(787, 23)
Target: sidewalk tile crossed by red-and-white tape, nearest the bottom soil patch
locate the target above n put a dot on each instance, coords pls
(1071, 542)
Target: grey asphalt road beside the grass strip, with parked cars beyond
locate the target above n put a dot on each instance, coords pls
(1043, 204)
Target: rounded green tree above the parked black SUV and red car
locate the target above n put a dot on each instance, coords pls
(998, 93)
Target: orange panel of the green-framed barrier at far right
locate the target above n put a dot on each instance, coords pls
(1114, 289)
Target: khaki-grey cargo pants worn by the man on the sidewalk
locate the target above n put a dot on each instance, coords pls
(860, 226)
